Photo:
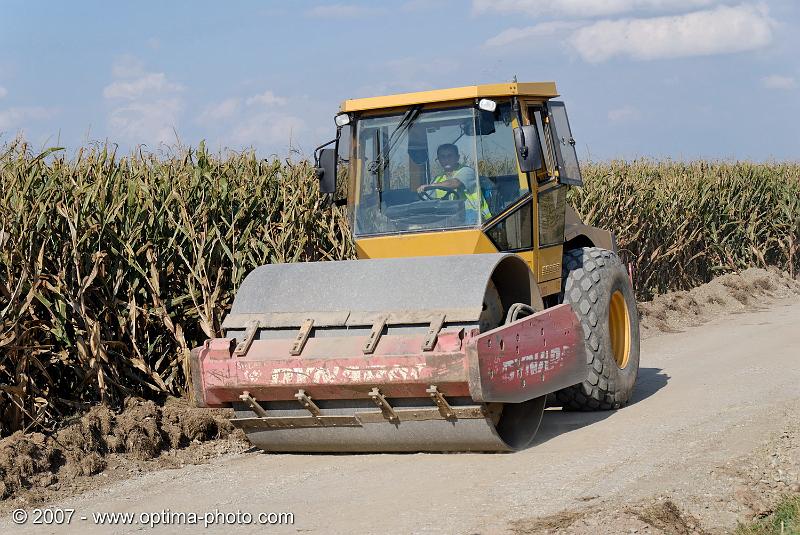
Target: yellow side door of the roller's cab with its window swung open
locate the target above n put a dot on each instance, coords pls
(549, 186)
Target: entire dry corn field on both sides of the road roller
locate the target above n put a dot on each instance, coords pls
(112, 268)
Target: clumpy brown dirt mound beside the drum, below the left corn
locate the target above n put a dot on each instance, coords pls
(142, 431)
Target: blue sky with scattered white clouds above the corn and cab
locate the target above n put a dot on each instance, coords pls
(661, 78)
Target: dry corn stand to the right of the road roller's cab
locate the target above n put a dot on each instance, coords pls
(681, 224)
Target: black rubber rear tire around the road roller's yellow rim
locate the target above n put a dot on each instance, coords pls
(590, 276)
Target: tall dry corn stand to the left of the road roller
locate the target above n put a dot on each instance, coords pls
(111, 269)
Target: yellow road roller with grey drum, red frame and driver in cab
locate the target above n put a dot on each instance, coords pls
(478, 298)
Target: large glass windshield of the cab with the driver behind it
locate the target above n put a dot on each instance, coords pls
(435, 169)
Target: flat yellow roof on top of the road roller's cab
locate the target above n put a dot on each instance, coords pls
(528, 89)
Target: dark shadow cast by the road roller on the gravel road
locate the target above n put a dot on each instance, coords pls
(557, 422)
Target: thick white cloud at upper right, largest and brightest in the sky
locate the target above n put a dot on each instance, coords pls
(717, 31)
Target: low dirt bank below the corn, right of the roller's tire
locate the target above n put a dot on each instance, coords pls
(730, 293)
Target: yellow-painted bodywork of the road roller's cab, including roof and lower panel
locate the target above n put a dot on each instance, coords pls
(544, 260)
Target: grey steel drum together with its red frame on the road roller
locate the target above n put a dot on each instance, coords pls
(428, 371)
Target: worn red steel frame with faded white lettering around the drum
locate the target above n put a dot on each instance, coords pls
(530, 357)
